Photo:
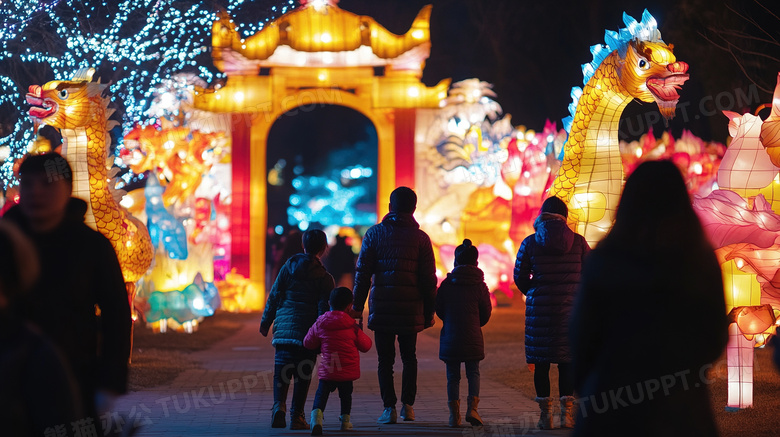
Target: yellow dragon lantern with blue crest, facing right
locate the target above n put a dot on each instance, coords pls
(635, 64)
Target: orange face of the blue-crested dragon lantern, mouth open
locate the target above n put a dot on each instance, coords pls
(651, 73)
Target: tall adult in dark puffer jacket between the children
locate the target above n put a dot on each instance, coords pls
(397, 264)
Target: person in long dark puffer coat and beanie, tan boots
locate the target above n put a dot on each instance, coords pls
(548, 270)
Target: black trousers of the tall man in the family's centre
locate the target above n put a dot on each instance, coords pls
(385, 349)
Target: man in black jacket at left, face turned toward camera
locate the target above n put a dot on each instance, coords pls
(80, 273)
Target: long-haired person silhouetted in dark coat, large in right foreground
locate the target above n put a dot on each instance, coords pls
(650, 316)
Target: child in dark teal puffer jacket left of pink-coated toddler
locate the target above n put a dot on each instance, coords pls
(299, 295)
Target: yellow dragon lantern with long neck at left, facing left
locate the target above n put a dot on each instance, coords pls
(78, 109)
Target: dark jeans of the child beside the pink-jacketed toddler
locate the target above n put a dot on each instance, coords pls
(292, 362)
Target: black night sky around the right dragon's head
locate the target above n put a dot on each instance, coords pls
(532, 52)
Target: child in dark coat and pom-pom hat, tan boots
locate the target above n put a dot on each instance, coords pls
(463, 304)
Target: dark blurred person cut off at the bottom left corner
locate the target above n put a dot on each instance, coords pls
(38, 392)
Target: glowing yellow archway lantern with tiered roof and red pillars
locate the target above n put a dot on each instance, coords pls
(317, 54)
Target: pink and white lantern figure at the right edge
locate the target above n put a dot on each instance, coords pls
(741, 224)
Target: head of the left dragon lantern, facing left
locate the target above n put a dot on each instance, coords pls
(67, 104)
